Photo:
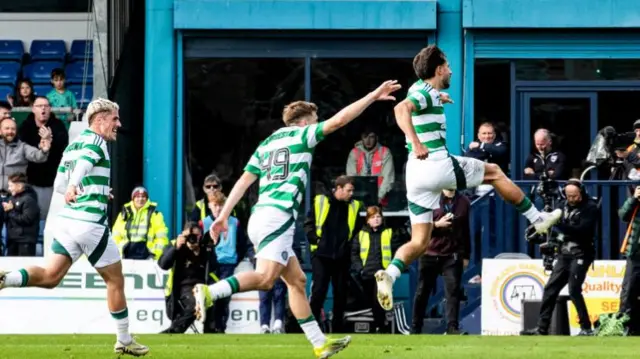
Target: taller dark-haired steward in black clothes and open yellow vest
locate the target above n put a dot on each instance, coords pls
(331, 226)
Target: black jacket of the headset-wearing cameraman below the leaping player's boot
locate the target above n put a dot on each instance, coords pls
(578, 227)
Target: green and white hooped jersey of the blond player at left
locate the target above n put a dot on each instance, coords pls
(91, 204)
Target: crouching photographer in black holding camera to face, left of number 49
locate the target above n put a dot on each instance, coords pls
(190, 260)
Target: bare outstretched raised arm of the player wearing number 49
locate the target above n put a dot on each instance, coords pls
(349, 113)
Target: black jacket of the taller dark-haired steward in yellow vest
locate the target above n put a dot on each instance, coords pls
(335, 242)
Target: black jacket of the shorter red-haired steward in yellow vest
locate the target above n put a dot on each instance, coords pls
(374, 259)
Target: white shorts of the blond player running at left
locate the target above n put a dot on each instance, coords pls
(74, 238)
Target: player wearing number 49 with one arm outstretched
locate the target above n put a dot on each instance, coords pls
(282, 163)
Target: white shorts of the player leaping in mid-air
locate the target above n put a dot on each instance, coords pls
(427, 178)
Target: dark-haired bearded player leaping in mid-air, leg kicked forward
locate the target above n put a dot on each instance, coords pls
(430, 167)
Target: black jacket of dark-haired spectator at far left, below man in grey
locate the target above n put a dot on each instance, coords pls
(23, 221)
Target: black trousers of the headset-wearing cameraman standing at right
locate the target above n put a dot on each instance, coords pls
(568, 270)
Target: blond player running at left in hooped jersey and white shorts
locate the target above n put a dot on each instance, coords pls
(81, 227)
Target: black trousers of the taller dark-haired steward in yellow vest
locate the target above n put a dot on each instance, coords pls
(336, 272)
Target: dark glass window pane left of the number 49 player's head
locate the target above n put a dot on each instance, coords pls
(231, 104)
